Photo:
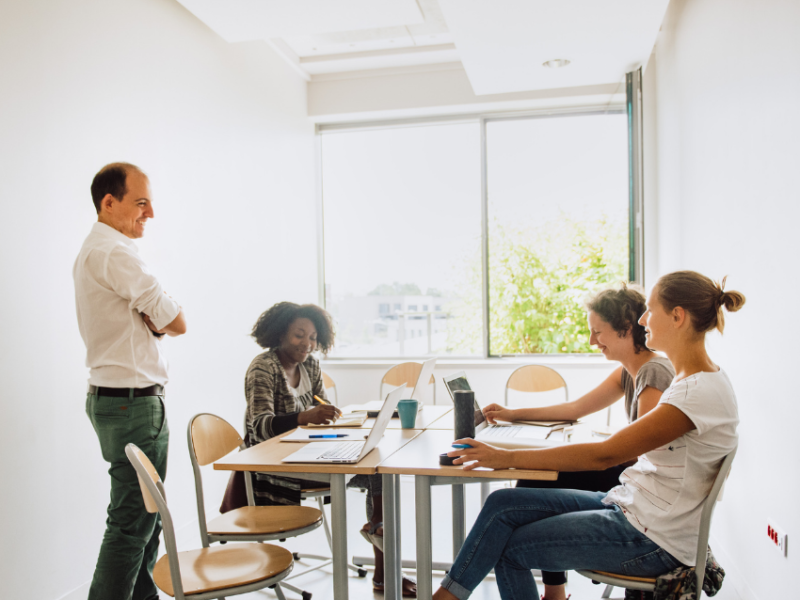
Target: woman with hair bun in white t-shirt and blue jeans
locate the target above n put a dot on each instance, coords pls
(646, 526)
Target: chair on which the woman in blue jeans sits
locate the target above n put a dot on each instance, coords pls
(648, 584)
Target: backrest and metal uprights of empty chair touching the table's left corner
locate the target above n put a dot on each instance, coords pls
(210, 438)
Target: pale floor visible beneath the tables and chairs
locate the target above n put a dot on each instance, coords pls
(320, 583)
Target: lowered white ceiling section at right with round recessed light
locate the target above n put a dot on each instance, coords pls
(503, 43)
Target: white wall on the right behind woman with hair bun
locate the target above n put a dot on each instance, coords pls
(726, 88)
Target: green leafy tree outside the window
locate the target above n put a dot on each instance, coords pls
(539, 280)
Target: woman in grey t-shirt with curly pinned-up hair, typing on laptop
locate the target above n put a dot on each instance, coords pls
(641, 378)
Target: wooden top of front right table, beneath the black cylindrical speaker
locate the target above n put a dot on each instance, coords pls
(421, 457)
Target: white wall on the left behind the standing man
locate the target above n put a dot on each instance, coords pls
(222, 131)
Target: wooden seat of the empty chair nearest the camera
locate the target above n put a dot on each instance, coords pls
(221, 567)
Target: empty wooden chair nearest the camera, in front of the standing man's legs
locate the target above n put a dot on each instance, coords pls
(209, 572)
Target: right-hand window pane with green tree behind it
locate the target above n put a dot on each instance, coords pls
(558, 227)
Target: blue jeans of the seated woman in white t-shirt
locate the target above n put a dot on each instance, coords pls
(553, 530)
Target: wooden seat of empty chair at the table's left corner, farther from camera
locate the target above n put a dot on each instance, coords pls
(264, 520)
